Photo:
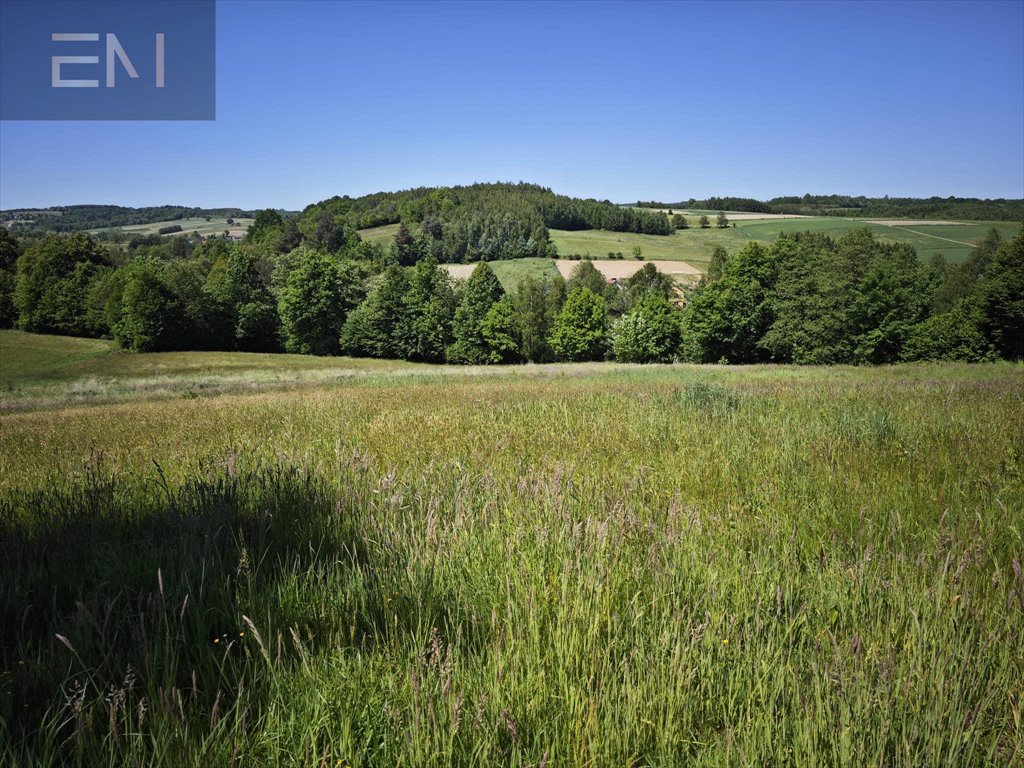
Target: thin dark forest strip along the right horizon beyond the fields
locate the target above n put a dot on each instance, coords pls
(862, 207)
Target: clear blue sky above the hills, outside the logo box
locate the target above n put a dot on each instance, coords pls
(662, 101)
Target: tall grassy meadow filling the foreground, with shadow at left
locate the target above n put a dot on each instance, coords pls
(560, 566)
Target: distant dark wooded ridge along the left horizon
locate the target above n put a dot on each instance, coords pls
(74, 219)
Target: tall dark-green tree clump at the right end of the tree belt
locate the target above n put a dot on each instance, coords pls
(810, 300)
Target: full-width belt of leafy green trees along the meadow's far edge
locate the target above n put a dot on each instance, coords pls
(311, 286)
